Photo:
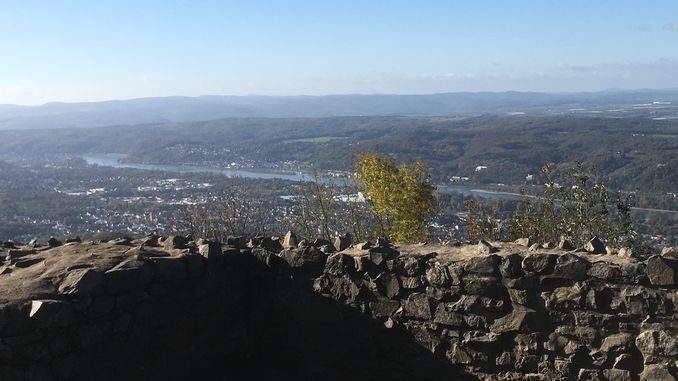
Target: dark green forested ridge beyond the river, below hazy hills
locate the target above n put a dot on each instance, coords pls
(633, 153)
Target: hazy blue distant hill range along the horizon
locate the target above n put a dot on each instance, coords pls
(186, 109)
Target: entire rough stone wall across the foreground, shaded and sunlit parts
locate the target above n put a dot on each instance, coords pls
(176, 309)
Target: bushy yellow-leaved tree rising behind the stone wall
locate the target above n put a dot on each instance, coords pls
(401, 196)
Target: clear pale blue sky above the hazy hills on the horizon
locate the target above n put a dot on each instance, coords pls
(117, 49)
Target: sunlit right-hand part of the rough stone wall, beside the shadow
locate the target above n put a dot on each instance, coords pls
(511, 316)
